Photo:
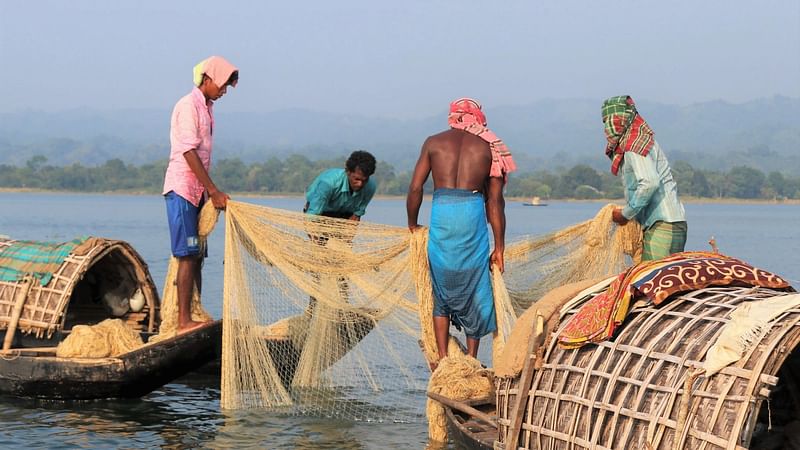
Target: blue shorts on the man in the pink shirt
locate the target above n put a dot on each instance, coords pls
(182, 217)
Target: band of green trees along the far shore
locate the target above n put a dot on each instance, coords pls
(294, 173)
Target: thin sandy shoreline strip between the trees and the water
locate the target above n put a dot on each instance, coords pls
(687, 199)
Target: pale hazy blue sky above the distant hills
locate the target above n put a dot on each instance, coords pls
(395, 59)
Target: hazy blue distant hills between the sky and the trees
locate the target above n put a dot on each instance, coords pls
(547, 134)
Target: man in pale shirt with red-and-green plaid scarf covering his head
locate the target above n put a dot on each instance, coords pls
(651, 195)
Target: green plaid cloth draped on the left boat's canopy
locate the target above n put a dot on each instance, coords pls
(39, 259)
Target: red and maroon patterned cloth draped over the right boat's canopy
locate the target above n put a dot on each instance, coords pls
(599, 318)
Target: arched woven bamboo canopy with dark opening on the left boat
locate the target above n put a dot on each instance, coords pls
(71, 296)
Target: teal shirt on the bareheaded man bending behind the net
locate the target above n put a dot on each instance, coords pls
(330, 192)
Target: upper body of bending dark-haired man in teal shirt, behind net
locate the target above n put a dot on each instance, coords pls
(343, 193)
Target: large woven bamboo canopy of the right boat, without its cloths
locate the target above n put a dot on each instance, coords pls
(643, 389)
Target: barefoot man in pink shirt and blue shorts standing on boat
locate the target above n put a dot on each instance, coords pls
(187, 184)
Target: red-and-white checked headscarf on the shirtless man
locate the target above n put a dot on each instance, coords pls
(465, 114)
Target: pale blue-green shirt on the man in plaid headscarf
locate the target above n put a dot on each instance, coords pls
(650, 191)
